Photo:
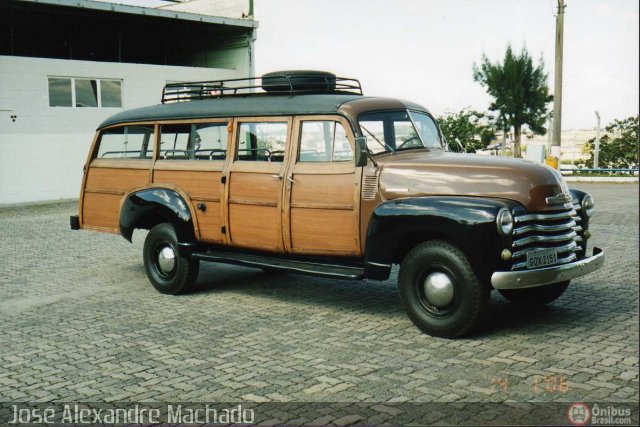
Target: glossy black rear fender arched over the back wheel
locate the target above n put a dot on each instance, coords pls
(152, 203)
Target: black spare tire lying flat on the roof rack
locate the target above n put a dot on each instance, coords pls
(305, 80)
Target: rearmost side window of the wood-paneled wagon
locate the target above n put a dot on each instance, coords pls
(126, 142)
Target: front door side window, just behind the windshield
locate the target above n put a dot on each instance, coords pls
(324, 141)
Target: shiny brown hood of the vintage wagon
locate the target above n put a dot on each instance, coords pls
(422, 173)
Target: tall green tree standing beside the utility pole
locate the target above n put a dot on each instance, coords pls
(519, 90)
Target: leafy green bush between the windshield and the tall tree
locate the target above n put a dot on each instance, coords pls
(474, 130)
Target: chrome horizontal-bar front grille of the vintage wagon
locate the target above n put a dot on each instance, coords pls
(534, 231)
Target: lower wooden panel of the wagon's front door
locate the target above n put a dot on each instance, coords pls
(318, 231)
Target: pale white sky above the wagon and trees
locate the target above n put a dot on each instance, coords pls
(424, 50)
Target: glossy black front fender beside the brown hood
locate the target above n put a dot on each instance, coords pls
(469, 223)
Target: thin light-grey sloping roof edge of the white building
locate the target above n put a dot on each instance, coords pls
(146, 11)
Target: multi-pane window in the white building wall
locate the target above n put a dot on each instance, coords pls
(79, 92)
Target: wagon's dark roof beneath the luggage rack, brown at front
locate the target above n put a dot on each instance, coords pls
(260, 105)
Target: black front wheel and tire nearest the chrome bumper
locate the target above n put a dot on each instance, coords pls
(468, 302)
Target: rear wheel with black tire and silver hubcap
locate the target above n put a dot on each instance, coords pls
(160, 242)
